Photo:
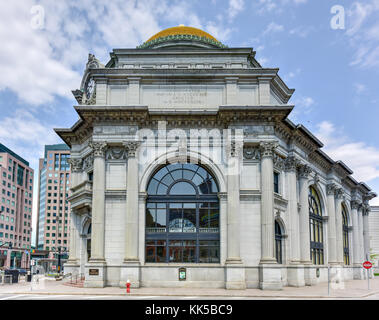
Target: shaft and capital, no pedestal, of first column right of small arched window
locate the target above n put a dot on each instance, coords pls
(290, 166)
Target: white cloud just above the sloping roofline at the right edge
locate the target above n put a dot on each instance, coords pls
(360, 157)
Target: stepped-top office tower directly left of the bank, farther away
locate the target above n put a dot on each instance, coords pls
(53, 207)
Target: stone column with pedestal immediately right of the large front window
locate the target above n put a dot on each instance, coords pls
(235, 273)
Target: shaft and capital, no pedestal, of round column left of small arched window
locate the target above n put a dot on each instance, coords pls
(267, 202)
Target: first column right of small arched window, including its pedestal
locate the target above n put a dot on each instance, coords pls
(295, 273)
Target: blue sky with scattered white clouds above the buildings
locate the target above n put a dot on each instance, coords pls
(328, 51)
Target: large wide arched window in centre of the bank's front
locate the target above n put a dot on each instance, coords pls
(182, 215)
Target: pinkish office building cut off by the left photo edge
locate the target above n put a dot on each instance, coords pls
(16, 184)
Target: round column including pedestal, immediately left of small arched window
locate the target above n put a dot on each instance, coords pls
(270, 273)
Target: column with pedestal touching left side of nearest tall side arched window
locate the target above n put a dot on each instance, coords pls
(309, 276)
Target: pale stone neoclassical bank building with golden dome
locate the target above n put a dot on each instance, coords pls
(187, 172)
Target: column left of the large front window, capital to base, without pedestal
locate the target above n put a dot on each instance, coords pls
(131, 230)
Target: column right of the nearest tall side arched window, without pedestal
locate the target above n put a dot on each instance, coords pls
(332, 240)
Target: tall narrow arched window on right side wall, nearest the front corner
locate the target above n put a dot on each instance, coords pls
(316, 227)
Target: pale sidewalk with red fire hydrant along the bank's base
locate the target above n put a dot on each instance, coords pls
(354, 289)
